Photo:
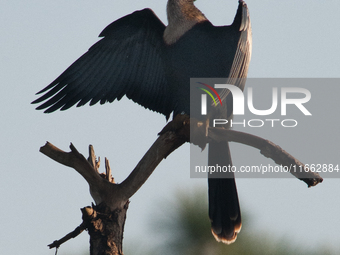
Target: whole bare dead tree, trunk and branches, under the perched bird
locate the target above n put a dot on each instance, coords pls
(112, 199)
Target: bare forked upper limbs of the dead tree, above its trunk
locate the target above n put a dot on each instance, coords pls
(171, 137)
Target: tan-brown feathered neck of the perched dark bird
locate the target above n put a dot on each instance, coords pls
(182, 16)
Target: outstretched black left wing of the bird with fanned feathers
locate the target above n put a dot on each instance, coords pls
(127, 61)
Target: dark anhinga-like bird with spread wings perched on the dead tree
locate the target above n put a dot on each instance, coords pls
(152, 64)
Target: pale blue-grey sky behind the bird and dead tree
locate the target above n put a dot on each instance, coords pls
(41, 199)
